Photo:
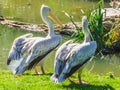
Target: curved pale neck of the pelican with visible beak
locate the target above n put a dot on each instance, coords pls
(49, 24)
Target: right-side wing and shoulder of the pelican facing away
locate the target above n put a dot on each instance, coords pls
(79, 54)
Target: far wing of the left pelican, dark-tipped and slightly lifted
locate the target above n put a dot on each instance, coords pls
(19, 47)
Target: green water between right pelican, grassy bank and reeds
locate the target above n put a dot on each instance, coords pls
(109, 64)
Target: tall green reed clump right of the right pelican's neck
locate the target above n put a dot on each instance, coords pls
(96, 26)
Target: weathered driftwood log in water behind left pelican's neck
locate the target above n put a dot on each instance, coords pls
(69, 28)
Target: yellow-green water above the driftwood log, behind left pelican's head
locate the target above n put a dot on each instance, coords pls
(28, 10)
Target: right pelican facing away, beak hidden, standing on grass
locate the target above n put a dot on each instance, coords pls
(71, 56)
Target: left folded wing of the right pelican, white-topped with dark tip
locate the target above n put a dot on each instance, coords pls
(61, 56)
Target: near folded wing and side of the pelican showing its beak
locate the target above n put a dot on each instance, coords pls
(36, 47)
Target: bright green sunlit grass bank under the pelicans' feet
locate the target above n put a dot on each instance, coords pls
(29, 81)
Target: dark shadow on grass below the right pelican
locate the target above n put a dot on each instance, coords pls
(78, 86)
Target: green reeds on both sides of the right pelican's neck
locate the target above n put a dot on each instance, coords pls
(95, 18)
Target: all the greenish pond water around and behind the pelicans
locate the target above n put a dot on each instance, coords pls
(28, 11)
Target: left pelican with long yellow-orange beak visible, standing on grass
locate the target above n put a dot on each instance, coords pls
(27, 51)
